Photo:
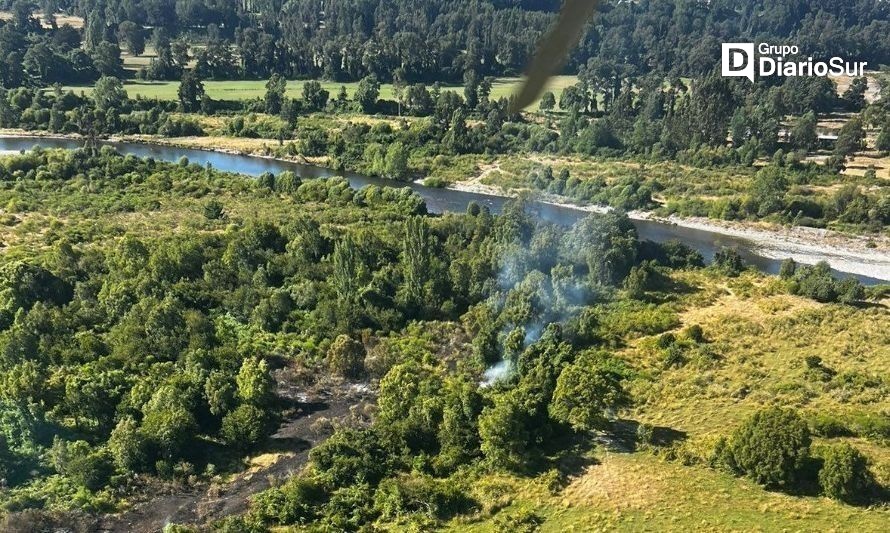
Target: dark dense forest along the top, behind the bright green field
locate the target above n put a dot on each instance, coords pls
(418, 41)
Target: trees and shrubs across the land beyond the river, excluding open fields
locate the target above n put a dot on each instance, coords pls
(641, 107)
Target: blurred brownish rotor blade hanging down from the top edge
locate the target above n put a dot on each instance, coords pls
(554, 51)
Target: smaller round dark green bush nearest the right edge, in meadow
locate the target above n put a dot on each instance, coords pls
(844, 475)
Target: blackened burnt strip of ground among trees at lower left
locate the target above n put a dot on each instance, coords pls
(285, 453)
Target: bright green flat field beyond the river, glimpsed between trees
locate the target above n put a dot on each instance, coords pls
(244, 90)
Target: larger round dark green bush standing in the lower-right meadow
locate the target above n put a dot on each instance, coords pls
(771, 447)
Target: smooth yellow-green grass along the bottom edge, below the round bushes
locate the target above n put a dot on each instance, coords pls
(640, 492)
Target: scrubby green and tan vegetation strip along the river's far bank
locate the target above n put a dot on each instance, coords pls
(444, 142)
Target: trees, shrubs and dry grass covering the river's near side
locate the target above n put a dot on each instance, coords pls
(195, 289)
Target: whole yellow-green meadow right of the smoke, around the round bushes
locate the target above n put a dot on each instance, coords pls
(757, 339)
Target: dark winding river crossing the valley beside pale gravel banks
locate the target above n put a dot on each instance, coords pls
(765, 257)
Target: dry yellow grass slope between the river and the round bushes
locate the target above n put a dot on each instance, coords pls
(757, 344)
